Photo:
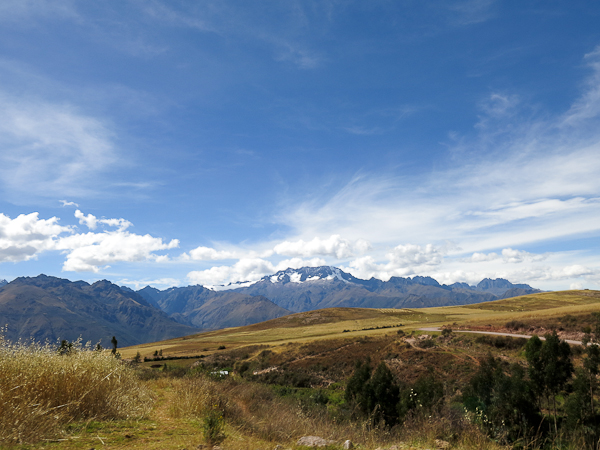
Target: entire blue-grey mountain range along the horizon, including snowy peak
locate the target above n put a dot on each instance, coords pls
(52, 308)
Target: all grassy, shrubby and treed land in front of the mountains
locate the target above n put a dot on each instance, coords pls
(375, 386)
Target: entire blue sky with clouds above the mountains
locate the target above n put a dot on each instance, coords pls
(200, 142)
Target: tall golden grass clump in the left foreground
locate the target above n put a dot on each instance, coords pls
(41, 390)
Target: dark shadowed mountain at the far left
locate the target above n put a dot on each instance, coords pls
(52, 308)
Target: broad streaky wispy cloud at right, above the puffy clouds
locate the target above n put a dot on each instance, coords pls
(535, 181)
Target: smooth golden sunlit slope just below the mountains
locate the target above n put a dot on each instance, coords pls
(348, 322)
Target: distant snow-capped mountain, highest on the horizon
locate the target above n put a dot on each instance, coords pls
(311, 288)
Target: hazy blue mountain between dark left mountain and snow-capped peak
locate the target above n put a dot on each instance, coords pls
(207, 309)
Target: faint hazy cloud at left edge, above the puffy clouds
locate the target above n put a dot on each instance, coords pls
(51, 150)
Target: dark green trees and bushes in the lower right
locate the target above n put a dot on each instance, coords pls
(541, 402)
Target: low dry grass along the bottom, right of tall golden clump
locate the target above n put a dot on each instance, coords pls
(254, 418)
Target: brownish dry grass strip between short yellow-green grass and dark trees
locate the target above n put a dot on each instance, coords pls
(255, 410)
